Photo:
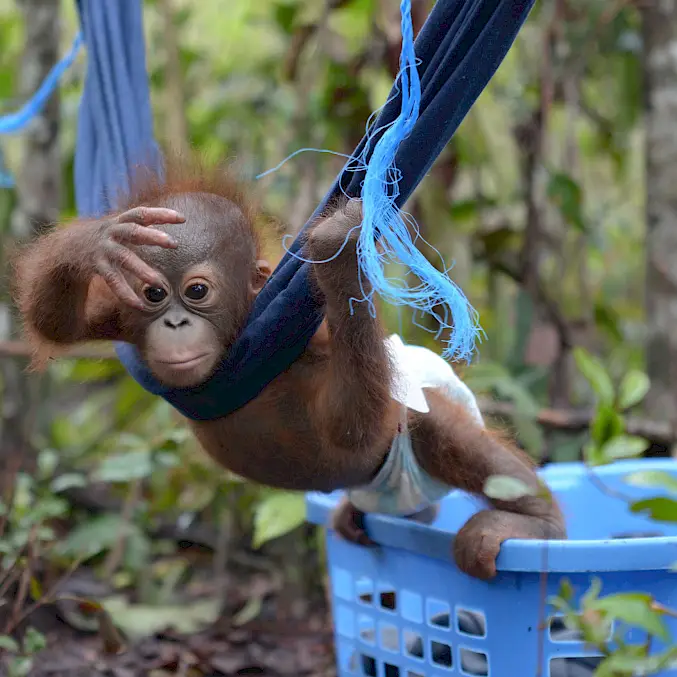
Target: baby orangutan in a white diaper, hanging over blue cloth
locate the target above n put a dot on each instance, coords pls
(176, 272)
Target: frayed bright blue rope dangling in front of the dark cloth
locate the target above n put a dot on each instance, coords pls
(384, 227)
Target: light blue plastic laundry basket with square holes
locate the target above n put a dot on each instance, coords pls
(405, 610)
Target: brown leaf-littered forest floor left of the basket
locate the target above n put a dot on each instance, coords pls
(272, 644)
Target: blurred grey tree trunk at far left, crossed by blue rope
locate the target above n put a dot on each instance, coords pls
(38, 204)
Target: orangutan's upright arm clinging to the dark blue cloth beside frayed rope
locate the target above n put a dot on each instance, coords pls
(354, 411)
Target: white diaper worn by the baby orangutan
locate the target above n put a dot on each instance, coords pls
(402, 487)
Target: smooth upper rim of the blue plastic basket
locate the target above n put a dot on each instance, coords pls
(529, 556)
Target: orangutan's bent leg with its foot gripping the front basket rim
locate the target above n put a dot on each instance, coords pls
(452, 447)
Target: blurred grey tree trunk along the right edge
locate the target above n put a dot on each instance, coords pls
(660, 76)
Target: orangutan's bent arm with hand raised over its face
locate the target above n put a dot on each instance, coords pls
(71, 284)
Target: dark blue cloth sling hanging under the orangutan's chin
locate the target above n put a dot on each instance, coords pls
(459, 48)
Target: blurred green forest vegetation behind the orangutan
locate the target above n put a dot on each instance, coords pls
(539, 200)
